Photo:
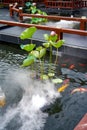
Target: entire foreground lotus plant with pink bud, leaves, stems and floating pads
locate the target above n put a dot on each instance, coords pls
(39, 53)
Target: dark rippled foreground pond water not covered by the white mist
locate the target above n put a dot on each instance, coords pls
(65, 112)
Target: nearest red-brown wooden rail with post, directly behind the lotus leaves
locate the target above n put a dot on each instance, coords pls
(59, 31)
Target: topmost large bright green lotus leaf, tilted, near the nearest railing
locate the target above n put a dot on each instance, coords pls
(28, 33)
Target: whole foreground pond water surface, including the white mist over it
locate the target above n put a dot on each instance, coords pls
(33, 105)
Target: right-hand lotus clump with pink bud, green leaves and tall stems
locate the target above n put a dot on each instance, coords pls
(52, 41)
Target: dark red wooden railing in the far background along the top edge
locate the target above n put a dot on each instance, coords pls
(52, 3)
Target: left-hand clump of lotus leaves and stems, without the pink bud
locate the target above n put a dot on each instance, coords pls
(33, 53)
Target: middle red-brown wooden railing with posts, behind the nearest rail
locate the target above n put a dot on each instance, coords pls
(82, 20)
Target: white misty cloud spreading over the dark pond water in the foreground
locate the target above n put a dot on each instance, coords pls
(36, 95)
